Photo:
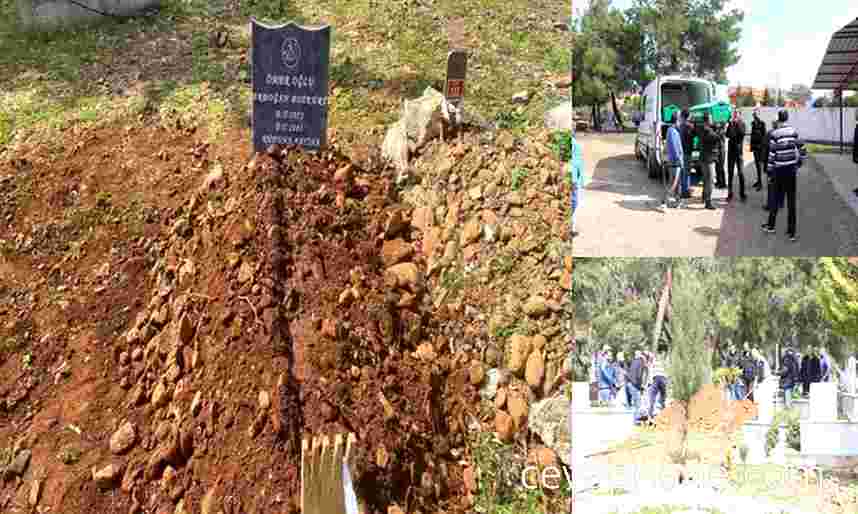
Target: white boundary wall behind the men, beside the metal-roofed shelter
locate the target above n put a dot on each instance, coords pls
(820, 125)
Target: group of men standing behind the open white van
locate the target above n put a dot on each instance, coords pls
(779, 153)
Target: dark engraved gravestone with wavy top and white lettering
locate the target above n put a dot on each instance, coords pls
(290, 85)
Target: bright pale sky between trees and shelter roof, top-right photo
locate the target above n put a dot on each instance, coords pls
(780, 46)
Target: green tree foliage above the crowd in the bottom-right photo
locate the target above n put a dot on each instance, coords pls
(763, 301)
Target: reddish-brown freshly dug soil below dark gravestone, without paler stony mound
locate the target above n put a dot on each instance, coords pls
(216, 326)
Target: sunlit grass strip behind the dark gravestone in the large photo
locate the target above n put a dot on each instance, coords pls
(381, 53)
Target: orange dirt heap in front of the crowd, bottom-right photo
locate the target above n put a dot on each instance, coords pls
(709, 411)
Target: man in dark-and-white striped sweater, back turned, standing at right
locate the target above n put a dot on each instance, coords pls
(786, 156)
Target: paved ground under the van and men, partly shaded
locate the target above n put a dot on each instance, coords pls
(620, 215)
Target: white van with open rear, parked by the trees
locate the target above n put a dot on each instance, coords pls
(681, 90)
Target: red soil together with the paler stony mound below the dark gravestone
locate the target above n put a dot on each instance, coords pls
(177, 315)
